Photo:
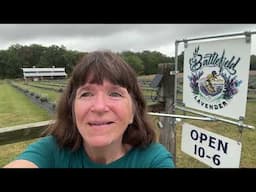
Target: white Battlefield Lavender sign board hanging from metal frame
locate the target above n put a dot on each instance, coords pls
(216, 76)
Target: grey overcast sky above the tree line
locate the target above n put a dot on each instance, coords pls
(115, 37)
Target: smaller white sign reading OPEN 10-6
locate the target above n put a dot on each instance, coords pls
(210, 148)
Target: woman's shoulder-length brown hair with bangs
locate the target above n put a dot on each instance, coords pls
(101, 65)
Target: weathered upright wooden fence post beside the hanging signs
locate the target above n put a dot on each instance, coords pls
(167, 132)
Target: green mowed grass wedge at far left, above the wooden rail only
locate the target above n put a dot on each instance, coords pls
(16, 108)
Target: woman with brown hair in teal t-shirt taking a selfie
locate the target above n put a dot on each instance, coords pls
(101, 122)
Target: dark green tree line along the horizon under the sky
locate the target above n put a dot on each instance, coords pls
(18, 56)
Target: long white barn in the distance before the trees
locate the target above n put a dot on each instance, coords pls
(44, 73)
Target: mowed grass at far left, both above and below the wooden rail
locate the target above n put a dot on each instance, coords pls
(16, 109)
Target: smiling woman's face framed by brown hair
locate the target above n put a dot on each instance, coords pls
(102, 113)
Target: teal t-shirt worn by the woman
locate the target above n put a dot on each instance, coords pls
(45, 153)
